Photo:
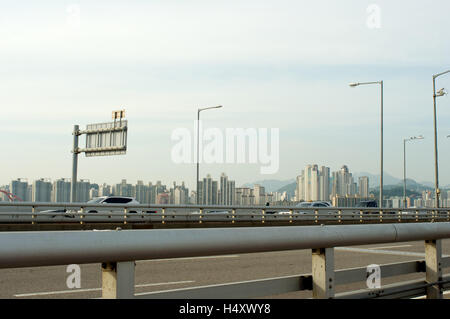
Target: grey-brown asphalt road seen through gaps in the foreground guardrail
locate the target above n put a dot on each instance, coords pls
(164, 274)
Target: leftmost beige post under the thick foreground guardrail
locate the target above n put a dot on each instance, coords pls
(118, 280)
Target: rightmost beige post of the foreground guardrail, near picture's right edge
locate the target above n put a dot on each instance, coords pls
(433, 255)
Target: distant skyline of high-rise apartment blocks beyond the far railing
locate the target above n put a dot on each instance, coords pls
(314, 184)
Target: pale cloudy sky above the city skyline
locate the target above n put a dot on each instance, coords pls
(271, 64)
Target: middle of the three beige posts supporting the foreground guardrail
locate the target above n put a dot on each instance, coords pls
(323, 273)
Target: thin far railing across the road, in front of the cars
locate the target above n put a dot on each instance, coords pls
(37, 212)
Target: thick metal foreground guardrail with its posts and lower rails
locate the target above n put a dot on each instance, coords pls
(117, 251)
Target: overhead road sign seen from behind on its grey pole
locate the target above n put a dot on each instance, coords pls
(102, 139)
